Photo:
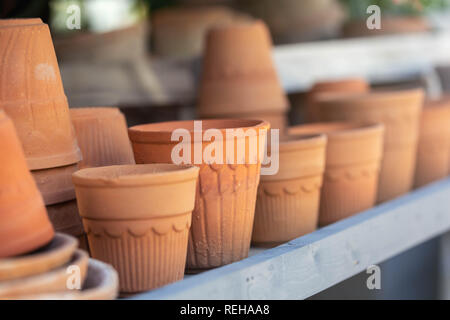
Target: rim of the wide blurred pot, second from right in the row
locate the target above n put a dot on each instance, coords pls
(327, 99)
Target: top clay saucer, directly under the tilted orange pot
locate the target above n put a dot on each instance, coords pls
(52, 256)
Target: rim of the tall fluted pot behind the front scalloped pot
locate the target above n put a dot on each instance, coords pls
(141, 133)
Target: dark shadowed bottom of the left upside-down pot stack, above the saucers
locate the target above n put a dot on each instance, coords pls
(66, 219)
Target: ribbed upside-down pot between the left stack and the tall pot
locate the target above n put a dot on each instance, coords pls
(102, 135)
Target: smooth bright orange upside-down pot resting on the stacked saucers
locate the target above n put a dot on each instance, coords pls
(24, 225)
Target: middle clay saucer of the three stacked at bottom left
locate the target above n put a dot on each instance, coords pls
(52, 281)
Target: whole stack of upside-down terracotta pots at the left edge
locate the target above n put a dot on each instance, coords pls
(33, 97)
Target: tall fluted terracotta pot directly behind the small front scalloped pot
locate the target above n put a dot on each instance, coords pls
(222, 220)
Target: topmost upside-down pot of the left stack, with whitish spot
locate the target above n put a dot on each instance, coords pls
(33, 97)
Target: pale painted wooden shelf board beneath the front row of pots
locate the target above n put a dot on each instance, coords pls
(317, 261)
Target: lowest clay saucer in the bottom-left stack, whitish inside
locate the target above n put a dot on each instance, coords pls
(102, 283)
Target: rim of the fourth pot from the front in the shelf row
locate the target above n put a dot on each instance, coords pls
(338, 130)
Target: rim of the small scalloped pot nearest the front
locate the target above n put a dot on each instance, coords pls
(134, 175)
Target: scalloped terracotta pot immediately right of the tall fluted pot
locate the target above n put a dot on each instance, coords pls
(287, 206)
